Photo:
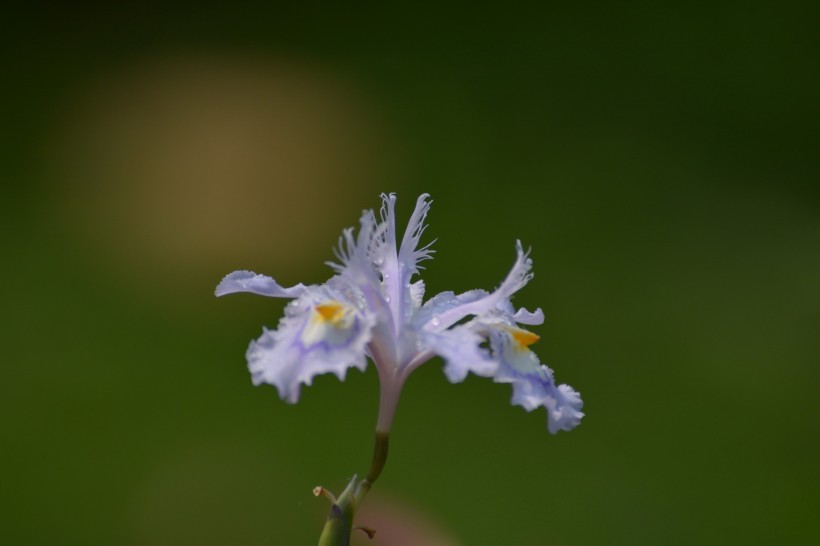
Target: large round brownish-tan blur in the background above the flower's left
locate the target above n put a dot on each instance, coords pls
(188, 167)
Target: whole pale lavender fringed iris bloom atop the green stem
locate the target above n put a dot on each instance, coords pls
(373, 307)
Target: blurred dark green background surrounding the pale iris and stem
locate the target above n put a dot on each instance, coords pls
(660, 159)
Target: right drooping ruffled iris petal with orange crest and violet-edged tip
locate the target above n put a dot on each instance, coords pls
(533, 383)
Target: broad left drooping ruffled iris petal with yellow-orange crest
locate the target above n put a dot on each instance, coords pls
(320, 333)
